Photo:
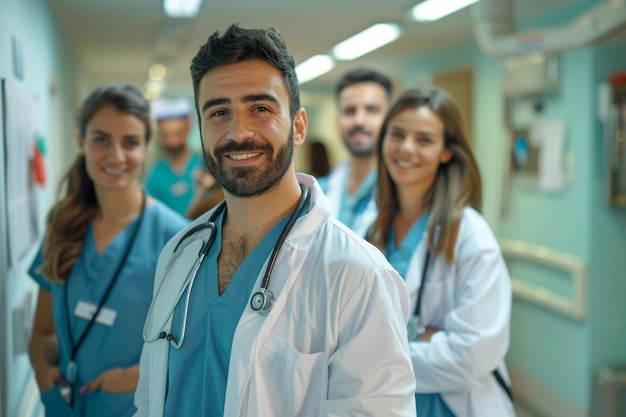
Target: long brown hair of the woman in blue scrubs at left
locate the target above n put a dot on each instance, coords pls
(67, 221)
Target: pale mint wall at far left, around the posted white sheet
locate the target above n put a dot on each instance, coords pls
(46, 56)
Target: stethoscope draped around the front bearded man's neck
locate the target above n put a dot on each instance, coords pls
(261, 301)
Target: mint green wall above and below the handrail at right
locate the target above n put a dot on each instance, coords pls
(552, 349)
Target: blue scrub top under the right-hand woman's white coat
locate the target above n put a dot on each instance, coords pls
(430, 405)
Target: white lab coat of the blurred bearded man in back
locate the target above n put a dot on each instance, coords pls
(337, 180)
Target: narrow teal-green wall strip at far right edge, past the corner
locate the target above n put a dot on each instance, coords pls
(608, 237)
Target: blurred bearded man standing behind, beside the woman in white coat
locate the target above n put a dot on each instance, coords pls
(363, 97)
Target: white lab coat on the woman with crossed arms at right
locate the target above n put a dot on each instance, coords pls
(471, 301)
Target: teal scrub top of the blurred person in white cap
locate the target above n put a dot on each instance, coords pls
(175, 189)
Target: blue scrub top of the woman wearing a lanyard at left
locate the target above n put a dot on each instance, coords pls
(118, 345)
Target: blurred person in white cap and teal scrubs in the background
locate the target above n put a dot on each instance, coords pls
(171, 178)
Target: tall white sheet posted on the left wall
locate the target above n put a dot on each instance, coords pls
(20, 132)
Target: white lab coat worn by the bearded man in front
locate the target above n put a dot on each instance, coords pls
(333, 344)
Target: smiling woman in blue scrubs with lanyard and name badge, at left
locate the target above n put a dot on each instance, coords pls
(96, 265)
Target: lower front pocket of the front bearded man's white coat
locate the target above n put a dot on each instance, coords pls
(288, 382)
